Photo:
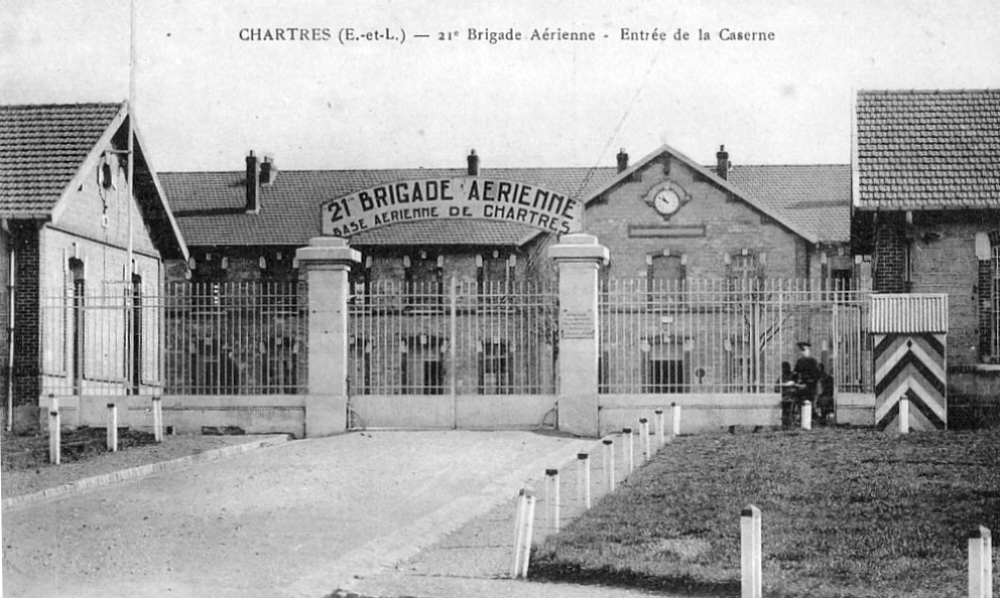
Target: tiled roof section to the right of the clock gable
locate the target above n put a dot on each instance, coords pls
(815, 198)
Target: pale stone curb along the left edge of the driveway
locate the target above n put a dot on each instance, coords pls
(135, 473)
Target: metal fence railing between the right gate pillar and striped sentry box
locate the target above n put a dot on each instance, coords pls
(726, 335)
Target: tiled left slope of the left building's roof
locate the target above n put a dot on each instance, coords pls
(42, 148)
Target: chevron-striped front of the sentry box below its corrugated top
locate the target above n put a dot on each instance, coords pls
(910, 365)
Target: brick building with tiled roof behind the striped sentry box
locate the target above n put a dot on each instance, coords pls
(926, 208)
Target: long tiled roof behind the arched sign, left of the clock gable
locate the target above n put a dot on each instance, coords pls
(209, 206)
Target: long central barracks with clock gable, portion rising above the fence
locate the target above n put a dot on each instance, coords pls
(664, 217)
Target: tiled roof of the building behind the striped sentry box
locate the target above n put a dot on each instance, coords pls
(928, 150)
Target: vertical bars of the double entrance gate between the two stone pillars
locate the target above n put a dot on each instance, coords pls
(452, 338)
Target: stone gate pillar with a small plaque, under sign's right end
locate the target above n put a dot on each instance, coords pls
(579, 258)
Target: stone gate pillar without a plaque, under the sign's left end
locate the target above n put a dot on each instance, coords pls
(324, 265)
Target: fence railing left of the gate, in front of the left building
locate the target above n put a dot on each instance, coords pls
(234, 338)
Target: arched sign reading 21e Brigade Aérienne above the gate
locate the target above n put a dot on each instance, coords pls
(451, 198)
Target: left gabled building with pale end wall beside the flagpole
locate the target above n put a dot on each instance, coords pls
(65, 235)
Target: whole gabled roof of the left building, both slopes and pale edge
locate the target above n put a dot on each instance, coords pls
(46, 150)
